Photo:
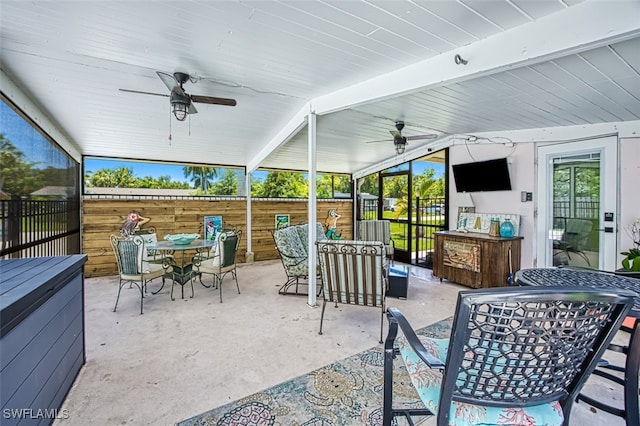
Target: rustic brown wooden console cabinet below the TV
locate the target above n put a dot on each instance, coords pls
(475, 260)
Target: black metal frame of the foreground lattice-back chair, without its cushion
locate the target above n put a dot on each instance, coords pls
(518, 347)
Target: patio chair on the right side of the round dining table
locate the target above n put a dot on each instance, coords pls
(223, 261)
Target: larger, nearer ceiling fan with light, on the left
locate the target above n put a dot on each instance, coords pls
(181, 101)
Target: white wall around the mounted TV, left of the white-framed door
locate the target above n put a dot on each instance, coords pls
(521, 167)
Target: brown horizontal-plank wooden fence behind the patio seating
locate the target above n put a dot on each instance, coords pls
(103, 217)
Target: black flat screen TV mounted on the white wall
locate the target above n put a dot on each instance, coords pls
(490, 175)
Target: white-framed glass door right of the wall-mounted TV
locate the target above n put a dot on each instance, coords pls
(577, 204)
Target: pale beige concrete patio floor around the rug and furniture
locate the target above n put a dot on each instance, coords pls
(184, 357)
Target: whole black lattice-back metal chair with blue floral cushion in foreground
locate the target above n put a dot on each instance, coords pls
(515, 356)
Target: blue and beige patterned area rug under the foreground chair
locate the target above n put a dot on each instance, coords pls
(347, 392)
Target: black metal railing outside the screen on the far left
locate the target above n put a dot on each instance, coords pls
(36, 228)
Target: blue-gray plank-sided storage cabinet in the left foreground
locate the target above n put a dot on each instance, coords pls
(41, 335)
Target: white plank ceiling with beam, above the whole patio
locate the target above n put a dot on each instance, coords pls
(359, 65)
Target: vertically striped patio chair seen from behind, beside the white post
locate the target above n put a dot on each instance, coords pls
(353, 273)
